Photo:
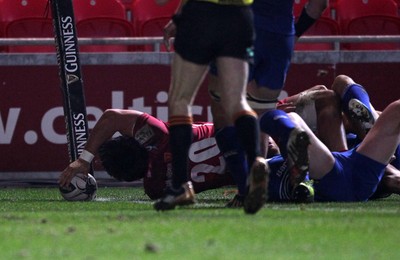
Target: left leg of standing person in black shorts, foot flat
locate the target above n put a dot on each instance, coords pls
(186, 80)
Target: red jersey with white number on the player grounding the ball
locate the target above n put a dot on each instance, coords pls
(207, 166)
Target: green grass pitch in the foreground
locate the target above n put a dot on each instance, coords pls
(36, 223)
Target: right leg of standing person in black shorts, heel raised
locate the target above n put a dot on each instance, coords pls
(233, 77)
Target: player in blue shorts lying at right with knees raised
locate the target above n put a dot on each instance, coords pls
(357, 171)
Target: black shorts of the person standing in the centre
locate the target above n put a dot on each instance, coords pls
(206, 31)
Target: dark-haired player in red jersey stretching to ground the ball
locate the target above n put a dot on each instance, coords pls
(142, 152)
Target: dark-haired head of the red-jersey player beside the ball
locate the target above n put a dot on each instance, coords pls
(124, 159)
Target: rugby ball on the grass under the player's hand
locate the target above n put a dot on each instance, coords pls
(81, 188)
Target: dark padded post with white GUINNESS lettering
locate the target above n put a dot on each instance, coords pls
(70, 76)
